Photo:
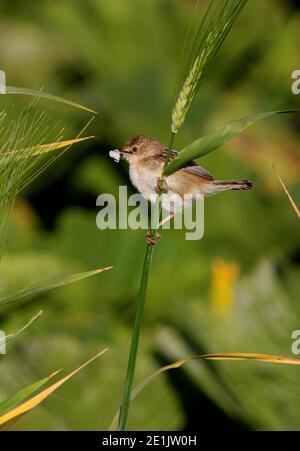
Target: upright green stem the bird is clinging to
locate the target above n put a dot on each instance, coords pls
(124, 410)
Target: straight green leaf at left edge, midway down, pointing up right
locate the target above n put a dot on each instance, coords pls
(43, 288)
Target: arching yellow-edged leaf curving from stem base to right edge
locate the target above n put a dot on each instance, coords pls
(218, 357)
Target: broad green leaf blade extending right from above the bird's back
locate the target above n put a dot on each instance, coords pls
(208, 143)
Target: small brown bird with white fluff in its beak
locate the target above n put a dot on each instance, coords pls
(146, 157)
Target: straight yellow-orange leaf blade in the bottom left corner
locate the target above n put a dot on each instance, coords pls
(15, 414)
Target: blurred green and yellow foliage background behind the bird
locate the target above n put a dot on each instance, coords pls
(237, 290)
